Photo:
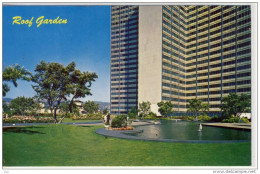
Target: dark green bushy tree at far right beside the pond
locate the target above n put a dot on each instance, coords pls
(233, 104)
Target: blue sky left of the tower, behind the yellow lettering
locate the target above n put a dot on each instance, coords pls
(84, 39)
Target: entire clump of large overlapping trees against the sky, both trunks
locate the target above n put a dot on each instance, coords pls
(57, 83)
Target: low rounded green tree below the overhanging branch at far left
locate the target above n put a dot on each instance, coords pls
(21, 105)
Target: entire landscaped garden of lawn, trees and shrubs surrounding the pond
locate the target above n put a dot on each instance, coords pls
(78, 145)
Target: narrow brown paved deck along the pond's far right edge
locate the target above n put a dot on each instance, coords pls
(245, 126)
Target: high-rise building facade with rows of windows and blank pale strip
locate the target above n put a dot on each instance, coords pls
(176, 53)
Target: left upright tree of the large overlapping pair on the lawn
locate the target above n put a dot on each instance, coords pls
(51, 81)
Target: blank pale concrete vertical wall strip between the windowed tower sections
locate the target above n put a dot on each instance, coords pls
(150, 56)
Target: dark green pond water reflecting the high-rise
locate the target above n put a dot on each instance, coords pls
(184, 130)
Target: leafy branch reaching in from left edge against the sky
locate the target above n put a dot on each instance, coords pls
(12, 74)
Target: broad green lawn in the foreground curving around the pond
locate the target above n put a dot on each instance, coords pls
(67, 145)
